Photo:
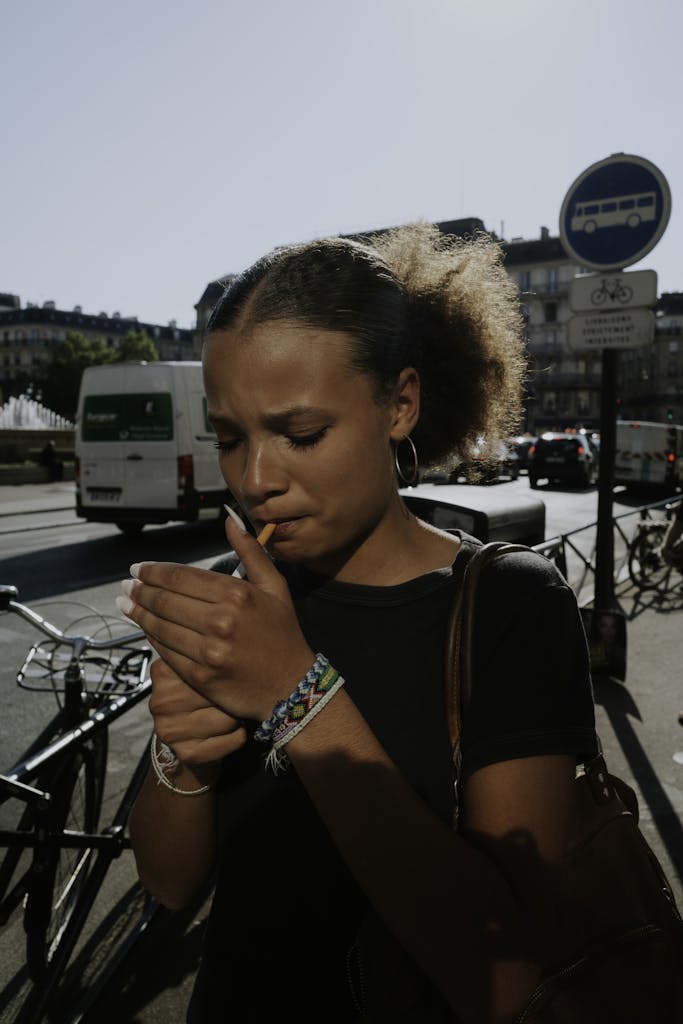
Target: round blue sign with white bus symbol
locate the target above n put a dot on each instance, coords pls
(615, 212)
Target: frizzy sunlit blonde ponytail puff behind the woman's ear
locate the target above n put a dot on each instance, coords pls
(465, 310)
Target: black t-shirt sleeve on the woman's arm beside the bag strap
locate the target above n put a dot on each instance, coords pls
(532, 691)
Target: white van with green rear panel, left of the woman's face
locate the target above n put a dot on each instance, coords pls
(145, 448)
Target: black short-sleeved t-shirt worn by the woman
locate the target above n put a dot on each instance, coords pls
(286, 910)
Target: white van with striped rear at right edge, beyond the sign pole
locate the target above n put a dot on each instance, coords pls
(650, 454)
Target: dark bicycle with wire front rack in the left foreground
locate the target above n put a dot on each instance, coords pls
(58, 857)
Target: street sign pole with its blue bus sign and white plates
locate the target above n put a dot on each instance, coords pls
(614, 214)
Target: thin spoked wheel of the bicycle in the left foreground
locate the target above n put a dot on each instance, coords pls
(77, 789)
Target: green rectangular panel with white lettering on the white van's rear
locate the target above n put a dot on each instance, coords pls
(140, 417)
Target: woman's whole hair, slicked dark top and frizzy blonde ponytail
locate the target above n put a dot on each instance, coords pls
(409, 296)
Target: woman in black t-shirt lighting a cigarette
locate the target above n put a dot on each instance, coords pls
(333, 370)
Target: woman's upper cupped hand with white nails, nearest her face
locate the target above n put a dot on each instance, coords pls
(236, 643)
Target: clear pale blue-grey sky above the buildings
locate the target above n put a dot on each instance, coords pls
(151, 147)
